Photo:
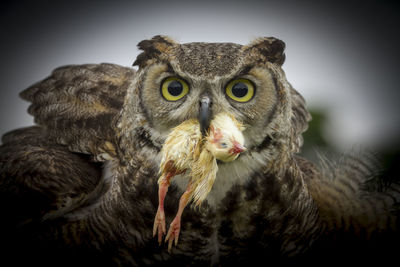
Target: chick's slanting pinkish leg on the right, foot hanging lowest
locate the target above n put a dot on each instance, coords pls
(175, 226)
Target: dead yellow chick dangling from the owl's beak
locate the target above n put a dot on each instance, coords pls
(186, 149)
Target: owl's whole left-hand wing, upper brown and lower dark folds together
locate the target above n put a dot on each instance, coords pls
(75, 108)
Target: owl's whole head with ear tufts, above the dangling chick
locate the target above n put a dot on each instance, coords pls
(176, 82)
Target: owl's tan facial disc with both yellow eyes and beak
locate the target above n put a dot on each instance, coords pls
(170, 95)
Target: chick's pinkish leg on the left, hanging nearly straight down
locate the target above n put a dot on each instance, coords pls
(159, 220)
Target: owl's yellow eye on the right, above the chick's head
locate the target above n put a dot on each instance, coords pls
(240, 90)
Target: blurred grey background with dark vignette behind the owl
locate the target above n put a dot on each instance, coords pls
(342, 56)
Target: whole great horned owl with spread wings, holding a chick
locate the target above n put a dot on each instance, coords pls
(82, 184)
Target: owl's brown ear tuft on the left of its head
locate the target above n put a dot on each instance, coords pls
(157, 47)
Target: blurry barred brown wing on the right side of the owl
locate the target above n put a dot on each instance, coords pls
(342, 195)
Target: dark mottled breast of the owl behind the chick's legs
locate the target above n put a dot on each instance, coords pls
(285, 200)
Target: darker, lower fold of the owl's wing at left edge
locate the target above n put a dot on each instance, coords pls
(41, 179)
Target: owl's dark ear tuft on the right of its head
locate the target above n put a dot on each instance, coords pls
(272, 49)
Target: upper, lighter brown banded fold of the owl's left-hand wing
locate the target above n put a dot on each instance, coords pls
(78, 104)
